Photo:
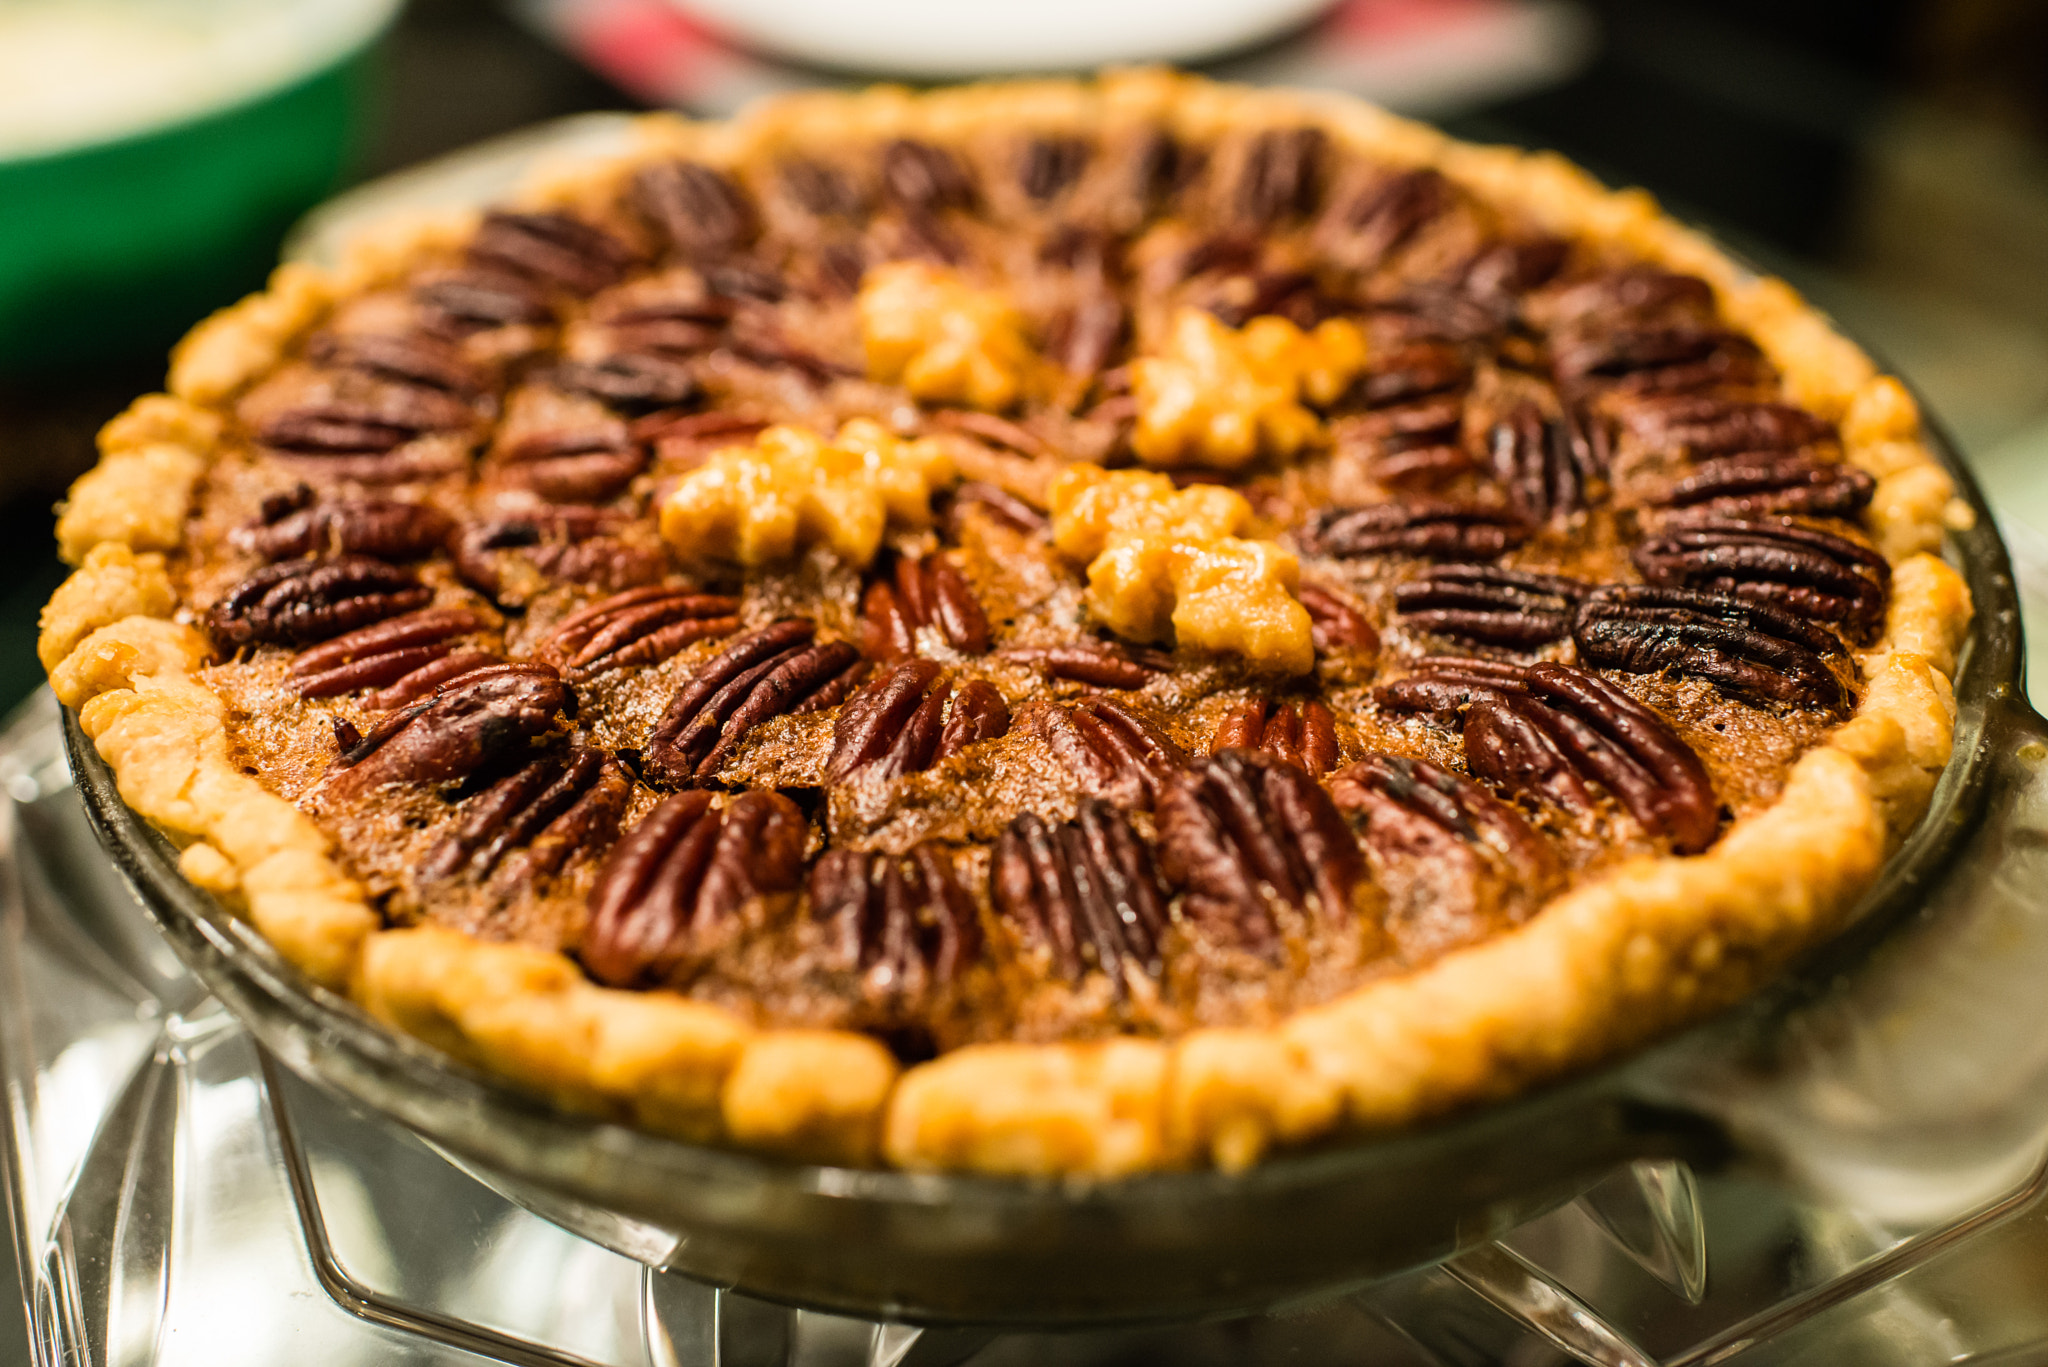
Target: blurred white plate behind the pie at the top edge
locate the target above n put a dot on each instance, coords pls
(970, 38)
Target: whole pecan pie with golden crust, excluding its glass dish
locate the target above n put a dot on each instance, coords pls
(1046, 628)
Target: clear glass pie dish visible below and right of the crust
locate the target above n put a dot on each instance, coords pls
(945, 1247)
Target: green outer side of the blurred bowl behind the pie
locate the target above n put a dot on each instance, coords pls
(122, 245)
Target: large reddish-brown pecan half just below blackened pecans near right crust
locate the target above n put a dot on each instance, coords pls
(1558, 731)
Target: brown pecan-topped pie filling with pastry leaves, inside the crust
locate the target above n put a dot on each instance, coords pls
(703, 581)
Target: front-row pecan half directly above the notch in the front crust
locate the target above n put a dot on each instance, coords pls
(904, 925)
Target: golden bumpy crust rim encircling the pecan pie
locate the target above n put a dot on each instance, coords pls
(1601, 968)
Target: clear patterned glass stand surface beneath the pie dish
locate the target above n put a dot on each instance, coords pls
(179, 1198)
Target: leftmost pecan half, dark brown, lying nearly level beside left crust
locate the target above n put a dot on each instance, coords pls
(304, 602)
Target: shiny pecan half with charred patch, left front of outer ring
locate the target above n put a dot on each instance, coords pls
(474, 722)
